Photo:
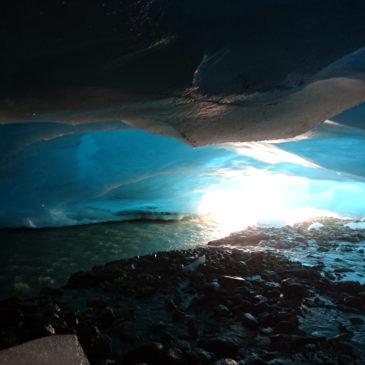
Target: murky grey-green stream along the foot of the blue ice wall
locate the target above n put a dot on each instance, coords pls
(30, 259)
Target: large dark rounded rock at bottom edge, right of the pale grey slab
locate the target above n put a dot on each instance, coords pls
(149, 352)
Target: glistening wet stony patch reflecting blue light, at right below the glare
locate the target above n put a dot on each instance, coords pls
(336, 246)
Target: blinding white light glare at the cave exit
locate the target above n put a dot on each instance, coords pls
(259, 198)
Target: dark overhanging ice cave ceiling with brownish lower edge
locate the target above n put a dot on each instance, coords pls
(204, 71)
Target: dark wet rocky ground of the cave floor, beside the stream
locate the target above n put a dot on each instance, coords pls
(239, 300)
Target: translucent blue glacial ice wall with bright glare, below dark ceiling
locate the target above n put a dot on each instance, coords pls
(54, 175)
